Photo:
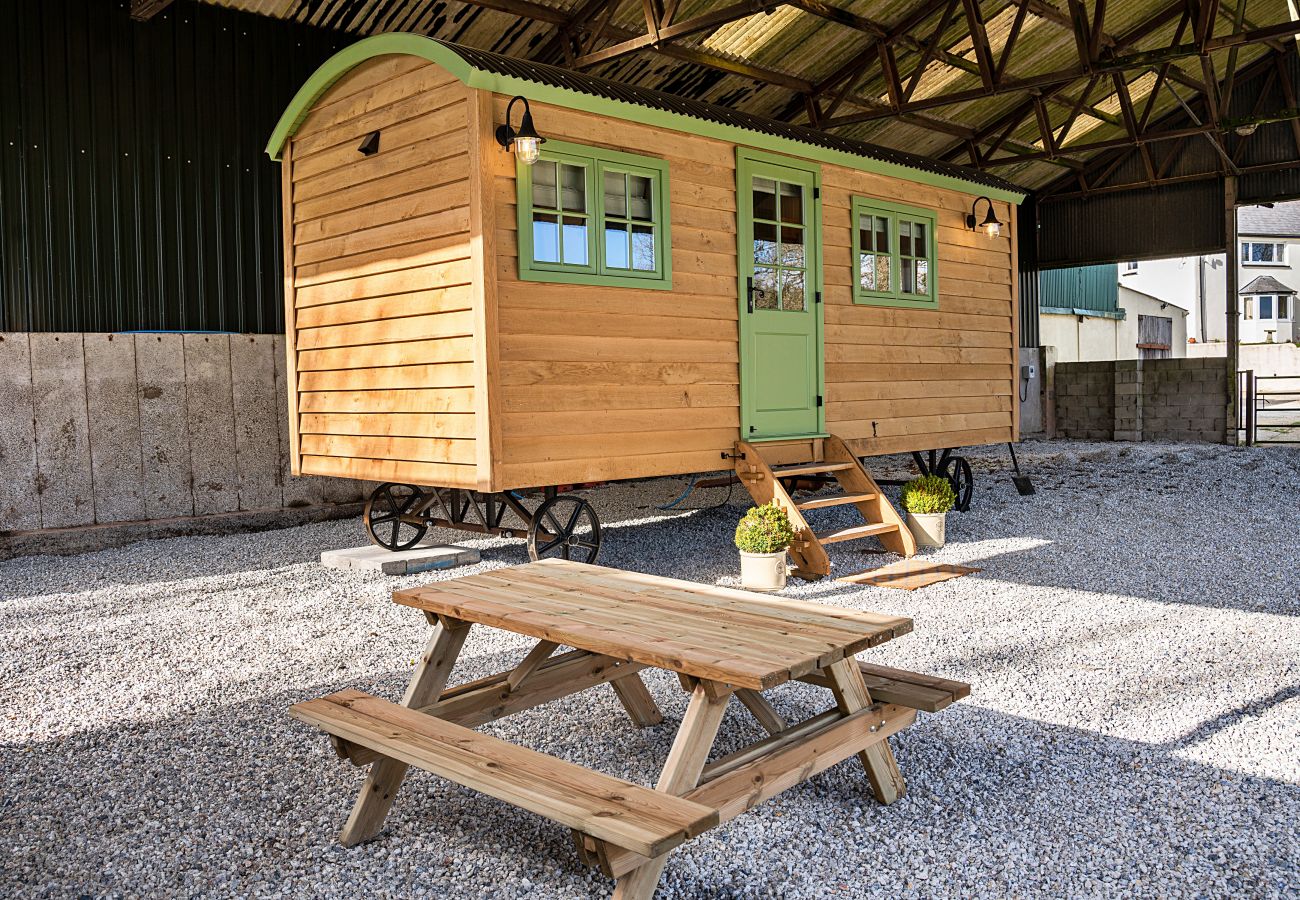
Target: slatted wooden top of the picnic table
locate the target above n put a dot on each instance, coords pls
(710, 633)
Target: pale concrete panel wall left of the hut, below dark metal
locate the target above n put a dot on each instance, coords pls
(125, 429)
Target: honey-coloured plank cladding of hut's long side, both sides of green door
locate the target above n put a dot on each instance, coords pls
(600, 383)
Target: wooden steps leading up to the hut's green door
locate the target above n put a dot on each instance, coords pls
(833, 461)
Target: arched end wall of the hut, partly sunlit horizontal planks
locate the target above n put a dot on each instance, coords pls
(384, 280)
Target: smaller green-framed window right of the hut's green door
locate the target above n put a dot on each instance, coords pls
(895, 256)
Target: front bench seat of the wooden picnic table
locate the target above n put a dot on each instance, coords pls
(626, 815)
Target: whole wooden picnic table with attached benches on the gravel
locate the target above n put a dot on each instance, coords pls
(721, 643)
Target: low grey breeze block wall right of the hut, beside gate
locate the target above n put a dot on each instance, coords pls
(1143, 400)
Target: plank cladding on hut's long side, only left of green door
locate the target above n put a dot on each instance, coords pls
(601, 383)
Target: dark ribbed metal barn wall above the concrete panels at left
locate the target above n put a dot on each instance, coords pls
(135, 192)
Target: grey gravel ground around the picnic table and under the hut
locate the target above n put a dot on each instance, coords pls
(1134, 728)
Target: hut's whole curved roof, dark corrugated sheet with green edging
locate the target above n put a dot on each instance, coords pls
(575, 90)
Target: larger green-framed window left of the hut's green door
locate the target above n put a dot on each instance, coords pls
(595, 217)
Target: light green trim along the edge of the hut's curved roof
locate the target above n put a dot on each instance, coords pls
(415, 45)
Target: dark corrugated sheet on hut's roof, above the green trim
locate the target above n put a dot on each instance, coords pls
(644, 97)
